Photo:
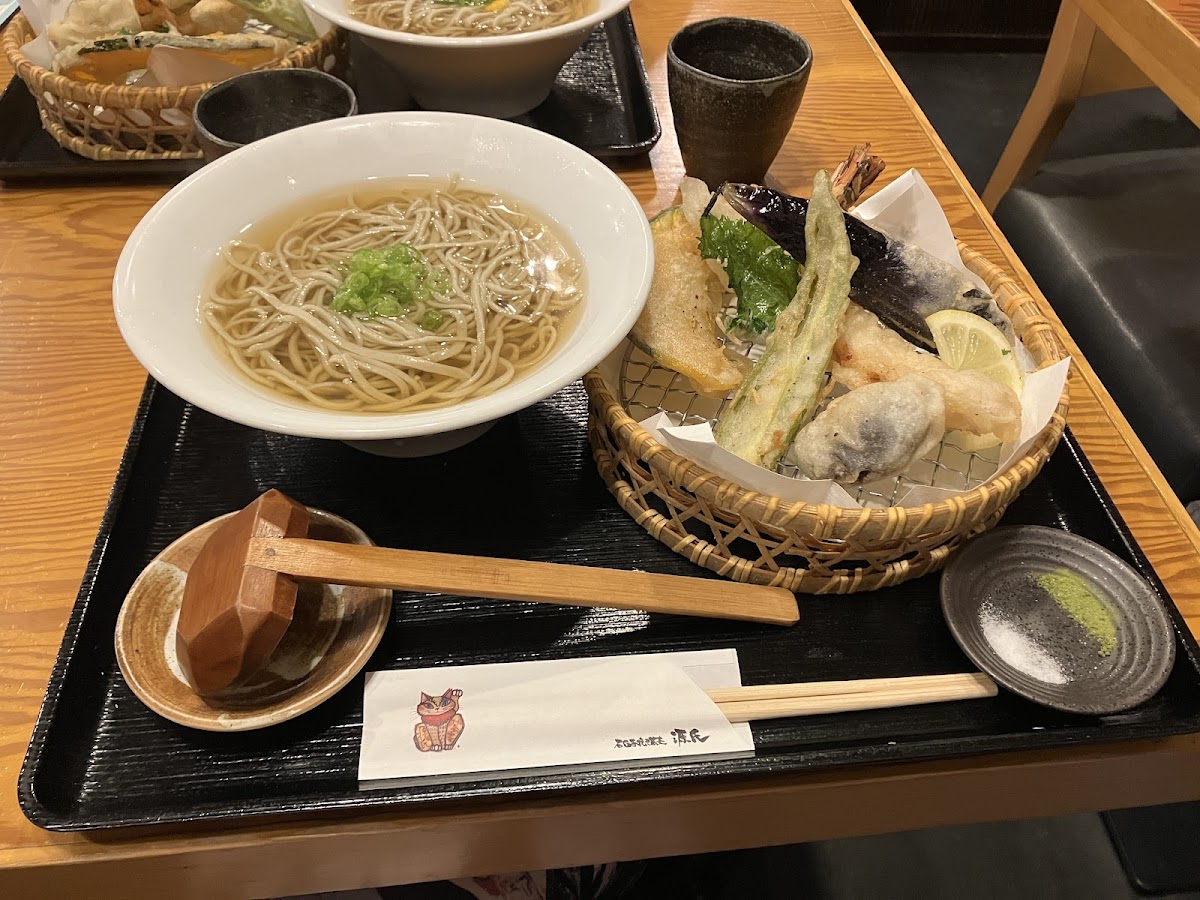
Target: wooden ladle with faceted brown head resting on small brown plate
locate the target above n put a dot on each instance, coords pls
(242, 590)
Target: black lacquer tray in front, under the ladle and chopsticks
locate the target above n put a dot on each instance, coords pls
(527, 489)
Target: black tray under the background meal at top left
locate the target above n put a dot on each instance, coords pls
(602, 103)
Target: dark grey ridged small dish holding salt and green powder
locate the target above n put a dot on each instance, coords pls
(1099, 657)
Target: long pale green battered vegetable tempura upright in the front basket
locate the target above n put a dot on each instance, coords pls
(781, 394)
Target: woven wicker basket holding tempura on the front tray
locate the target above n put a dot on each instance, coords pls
(813, 549)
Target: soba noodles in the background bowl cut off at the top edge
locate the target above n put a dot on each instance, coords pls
(467, 20)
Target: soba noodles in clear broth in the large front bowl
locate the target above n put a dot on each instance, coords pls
(505, 286)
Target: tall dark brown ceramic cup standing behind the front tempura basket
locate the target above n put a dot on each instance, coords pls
(735, 87)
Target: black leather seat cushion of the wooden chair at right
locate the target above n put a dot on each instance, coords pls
(1114, 243)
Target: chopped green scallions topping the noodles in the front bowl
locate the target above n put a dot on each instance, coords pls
(391, 283)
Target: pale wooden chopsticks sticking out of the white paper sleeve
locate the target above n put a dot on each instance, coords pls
(782, 701)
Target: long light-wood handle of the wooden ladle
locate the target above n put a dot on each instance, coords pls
(520, 580)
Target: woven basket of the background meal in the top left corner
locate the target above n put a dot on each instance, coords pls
(109, 122)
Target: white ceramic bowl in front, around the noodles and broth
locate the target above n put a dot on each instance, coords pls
(171, 255)
